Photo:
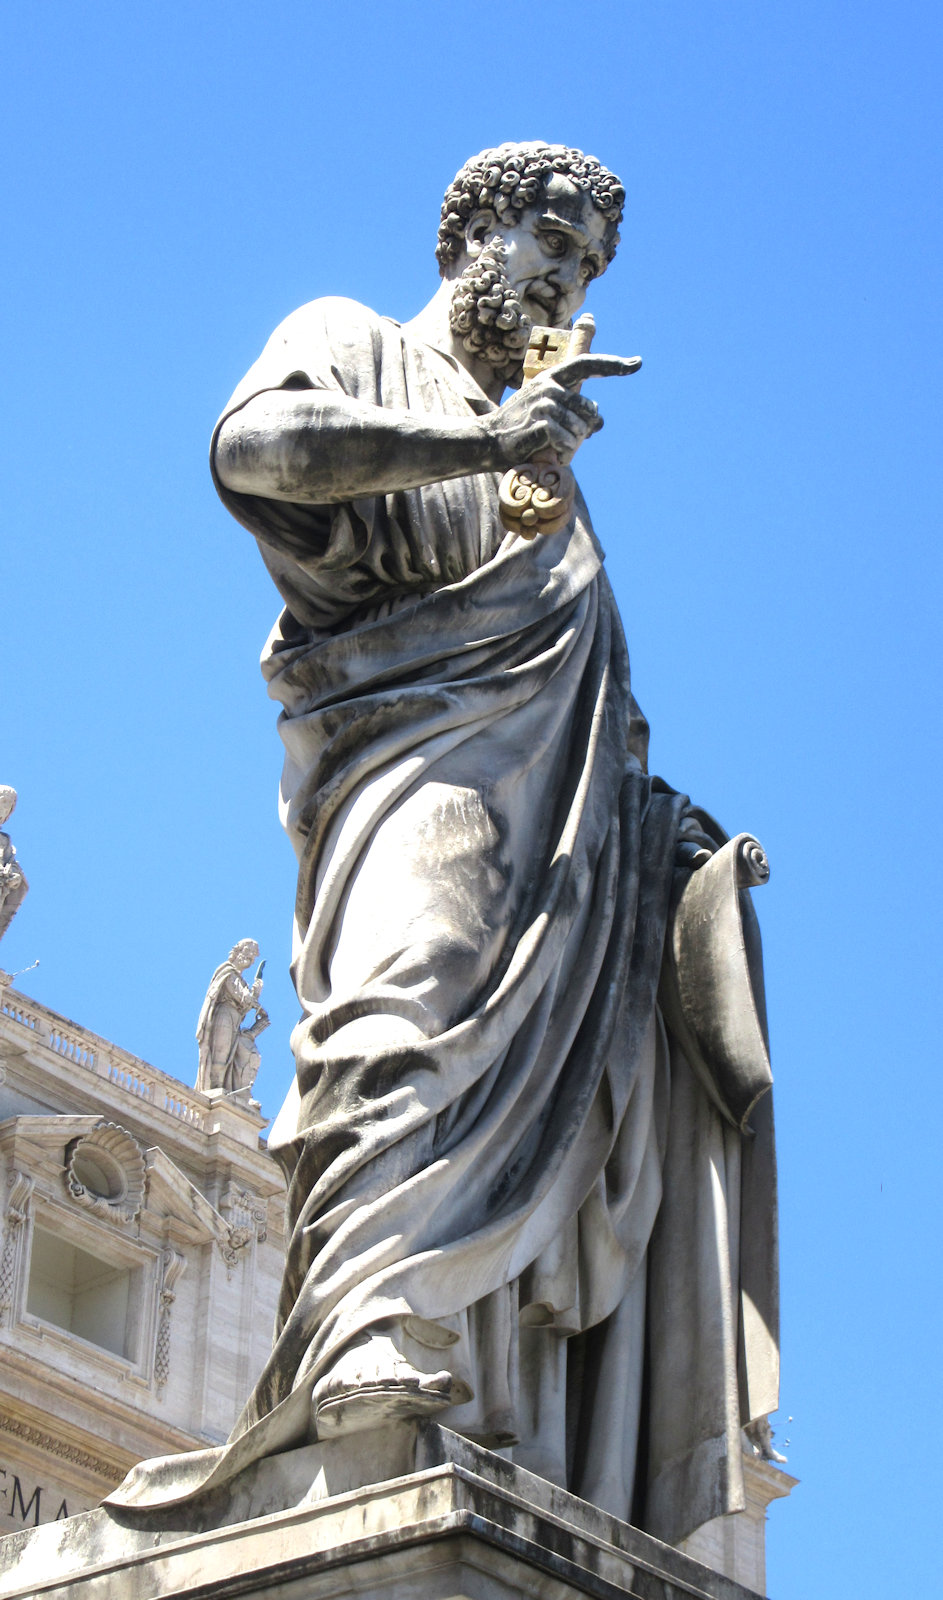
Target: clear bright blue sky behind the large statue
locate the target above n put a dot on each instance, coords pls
(179, 178)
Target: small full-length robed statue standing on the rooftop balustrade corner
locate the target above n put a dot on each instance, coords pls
(230, 1055)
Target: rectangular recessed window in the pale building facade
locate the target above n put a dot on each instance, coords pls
(86, 1295)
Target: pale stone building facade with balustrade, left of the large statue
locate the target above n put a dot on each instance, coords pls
(140, 1263)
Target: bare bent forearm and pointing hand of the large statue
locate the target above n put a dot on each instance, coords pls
(318, 447)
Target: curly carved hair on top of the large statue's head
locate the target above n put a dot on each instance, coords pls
(512, 178)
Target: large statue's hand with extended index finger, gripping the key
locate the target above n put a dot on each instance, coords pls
(550, 415)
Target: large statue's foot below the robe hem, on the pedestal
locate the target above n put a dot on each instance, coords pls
(372, 1385)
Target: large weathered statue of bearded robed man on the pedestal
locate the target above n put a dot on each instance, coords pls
(531, 1145)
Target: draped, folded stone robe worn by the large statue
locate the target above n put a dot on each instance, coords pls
(496, 1138)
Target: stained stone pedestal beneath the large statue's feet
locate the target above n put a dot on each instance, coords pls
(447, 1522)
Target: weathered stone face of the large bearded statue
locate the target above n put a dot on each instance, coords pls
(555, 252)
